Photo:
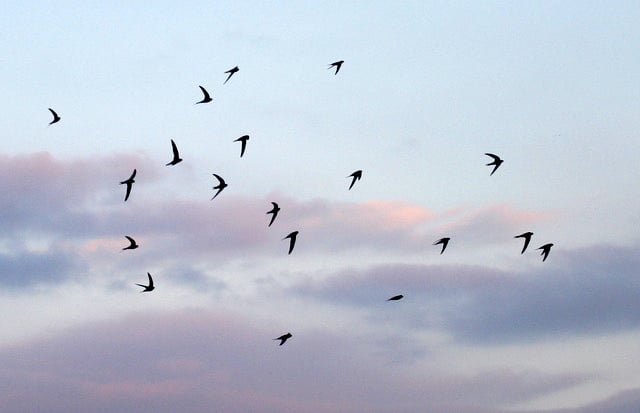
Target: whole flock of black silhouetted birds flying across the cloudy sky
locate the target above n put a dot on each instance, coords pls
(355, 176)
